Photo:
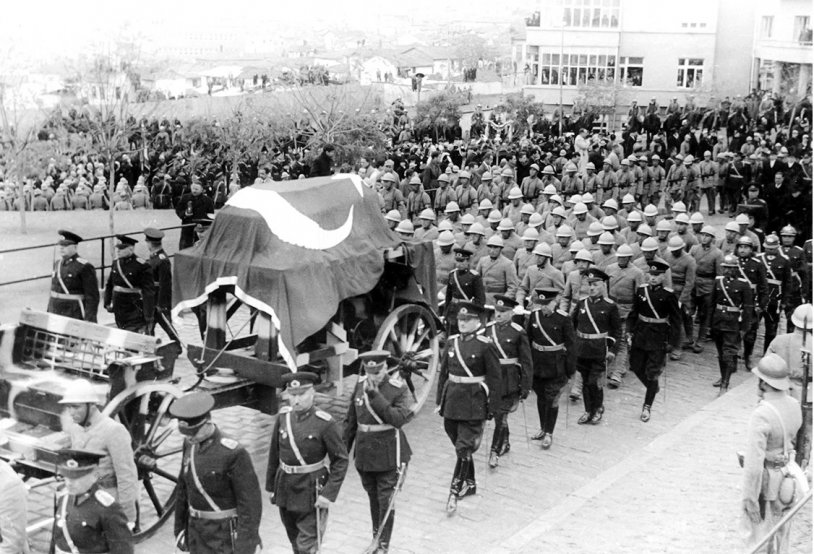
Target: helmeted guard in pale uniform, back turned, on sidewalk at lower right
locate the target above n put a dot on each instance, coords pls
(770, 442)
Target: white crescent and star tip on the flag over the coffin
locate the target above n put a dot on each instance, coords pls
(289, 224)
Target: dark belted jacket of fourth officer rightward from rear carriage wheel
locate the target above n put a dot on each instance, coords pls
(605, 314)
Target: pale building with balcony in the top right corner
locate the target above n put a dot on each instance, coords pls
(782, 51)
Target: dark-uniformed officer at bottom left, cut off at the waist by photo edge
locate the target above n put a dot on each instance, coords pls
(87, 519)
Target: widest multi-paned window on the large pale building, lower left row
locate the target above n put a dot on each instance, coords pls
(578, 67)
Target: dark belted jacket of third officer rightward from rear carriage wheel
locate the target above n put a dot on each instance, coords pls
(552, 341)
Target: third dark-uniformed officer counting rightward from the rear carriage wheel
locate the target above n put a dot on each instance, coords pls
(551, 335)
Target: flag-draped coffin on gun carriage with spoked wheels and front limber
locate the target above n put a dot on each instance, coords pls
(291, 275)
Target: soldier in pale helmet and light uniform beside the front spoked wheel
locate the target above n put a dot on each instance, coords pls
(89, 429)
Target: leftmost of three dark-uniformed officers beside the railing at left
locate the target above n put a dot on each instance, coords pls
(74, 288)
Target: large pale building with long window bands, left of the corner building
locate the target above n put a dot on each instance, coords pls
(636, 50)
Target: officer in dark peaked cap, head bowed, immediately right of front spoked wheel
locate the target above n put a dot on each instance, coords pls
(219, 503)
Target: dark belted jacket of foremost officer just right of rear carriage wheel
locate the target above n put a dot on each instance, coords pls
(469, 401)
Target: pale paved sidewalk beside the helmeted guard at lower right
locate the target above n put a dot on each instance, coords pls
(680, 493)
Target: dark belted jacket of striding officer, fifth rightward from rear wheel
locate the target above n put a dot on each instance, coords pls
(655, 319)
